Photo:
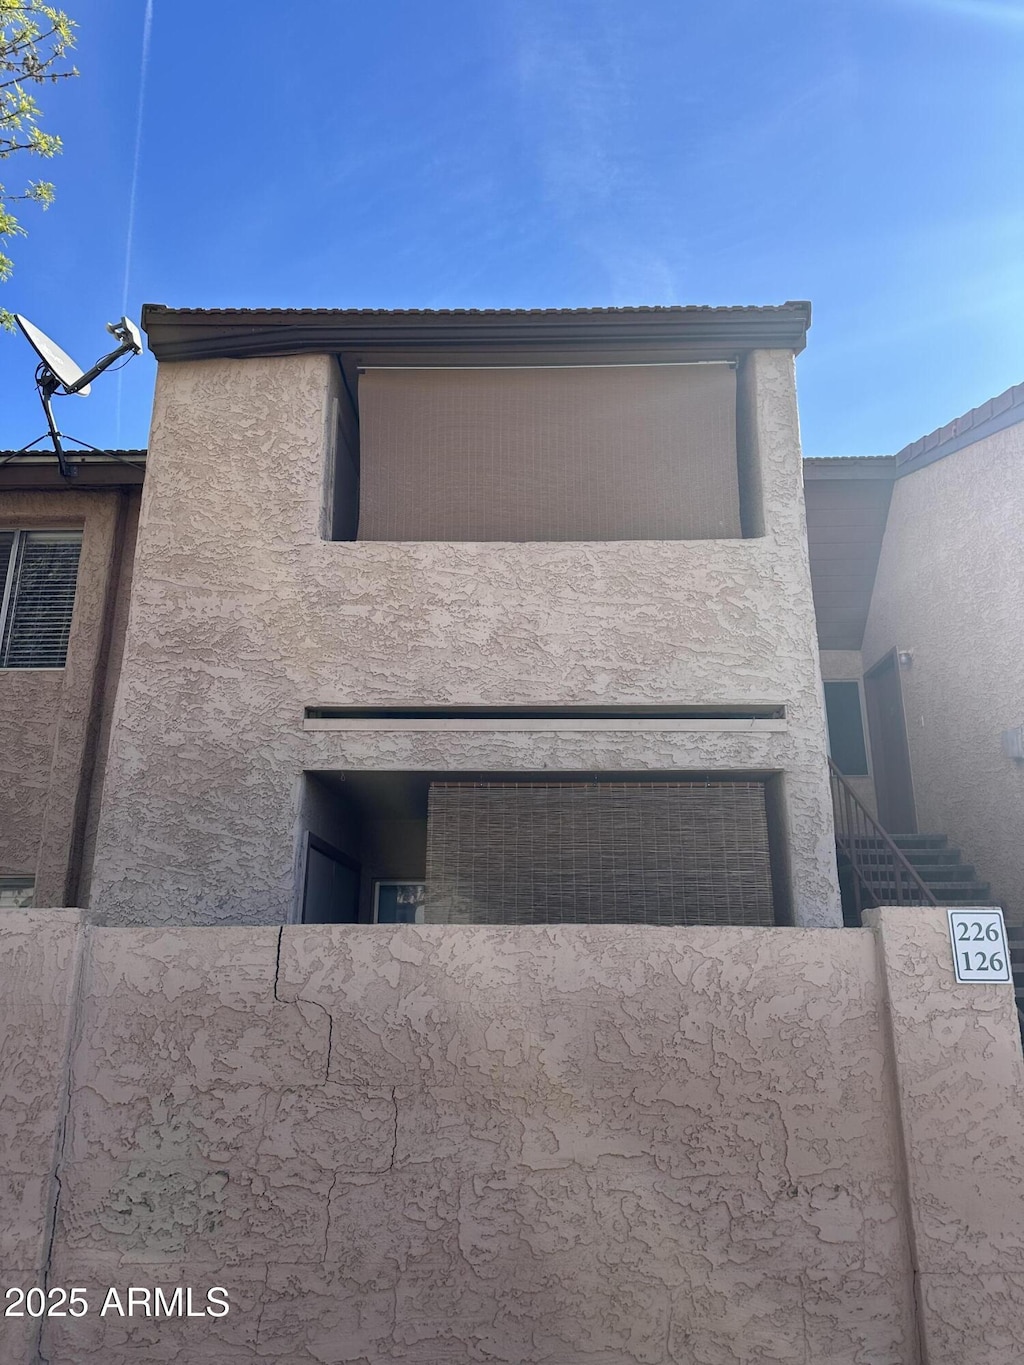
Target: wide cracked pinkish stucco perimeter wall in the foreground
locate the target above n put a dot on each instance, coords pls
(421, 1145)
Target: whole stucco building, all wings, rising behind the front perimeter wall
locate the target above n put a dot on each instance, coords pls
(413, 590)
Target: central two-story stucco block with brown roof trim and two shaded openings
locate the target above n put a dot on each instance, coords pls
(413, 590)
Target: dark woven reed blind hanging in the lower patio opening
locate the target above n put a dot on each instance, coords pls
(603, 854)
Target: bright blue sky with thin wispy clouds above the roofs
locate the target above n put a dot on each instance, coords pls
(865, 155)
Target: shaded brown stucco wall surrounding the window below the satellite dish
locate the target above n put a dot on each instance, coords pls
(48, 717)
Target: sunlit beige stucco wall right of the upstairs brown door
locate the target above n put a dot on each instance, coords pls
(951, 588)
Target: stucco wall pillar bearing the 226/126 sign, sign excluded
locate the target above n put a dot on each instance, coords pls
(961, 1097)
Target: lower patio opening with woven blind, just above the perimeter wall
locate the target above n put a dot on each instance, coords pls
(543, 848)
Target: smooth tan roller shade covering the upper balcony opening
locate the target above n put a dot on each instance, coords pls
(596, 454)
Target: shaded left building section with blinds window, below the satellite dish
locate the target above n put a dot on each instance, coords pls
(66, 555)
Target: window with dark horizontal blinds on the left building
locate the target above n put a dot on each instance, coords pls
(39, 573)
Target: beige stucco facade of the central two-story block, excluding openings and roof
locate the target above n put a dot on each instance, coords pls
(242, 616)
